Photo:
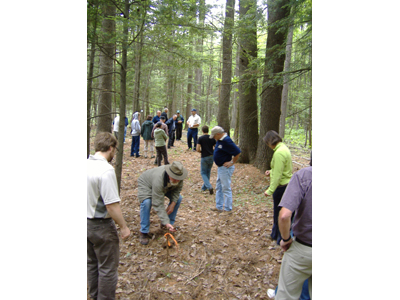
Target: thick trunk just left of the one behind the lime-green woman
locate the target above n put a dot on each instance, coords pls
(248, 84)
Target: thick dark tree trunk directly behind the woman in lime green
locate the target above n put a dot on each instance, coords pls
(271, 95)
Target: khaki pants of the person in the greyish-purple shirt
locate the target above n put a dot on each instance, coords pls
(296, 268)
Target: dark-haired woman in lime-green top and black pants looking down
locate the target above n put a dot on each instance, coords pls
(280, 174)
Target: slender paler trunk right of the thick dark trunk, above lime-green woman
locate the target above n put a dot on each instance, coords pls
(285, 90)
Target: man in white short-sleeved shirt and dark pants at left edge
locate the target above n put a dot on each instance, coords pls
(103, 210)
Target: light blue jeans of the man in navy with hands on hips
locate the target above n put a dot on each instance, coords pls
(223, 188)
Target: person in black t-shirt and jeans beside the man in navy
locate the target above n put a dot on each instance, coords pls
(205, 146)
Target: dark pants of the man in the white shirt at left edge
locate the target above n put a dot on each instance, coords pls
(102, 258)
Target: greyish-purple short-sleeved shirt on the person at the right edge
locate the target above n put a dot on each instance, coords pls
(298, 197)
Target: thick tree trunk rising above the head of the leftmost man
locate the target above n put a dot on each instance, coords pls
(106, 68)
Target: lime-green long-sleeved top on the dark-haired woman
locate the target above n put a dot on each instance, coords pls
(281, 167)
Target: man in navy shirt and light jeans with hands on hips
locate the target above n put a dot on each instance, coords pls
(226, 154)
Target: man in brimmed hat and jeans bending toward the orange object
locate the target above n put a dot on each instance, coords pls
(153, 186)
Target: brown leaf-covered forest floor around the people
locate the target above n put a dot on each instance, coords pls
(219, 257)
